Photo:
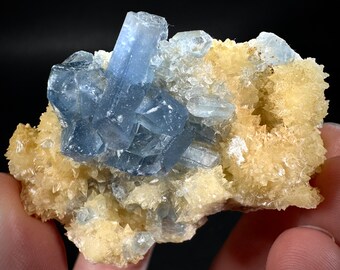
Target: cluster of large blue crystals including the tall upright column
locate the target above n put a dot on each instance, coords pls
(118, 117)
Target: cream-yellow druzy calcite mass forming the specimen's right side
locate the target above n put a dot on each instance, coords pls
(282, 108)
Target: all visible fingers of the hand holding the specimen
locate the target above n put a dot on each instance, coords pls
(291, 239)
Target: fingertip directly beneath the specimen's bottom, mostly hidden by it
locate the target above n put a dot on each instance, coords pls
(83, 264)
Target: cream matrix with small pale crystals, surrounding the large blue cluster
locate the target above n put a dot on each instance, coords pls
(263, 155)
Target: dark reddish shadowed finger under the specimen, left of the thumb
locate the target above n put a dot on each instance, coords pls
(249, 243)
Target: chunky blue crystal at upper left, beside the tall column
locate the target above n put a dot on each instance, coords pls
(74, 89)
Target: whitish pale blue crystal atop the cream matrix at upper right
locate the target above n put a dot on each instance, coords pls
(273, 50)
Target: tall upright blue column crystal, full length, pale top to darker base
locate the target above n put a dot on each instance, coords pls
(128, 71)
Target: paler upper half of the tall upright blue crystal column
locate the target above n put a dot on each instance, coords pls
(136, 45)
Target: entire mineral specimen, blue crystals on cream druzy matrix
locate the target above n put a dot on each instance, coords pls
(139, 145)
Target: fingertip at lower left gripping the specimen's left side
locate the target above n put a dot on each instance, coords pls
(26, 242)
